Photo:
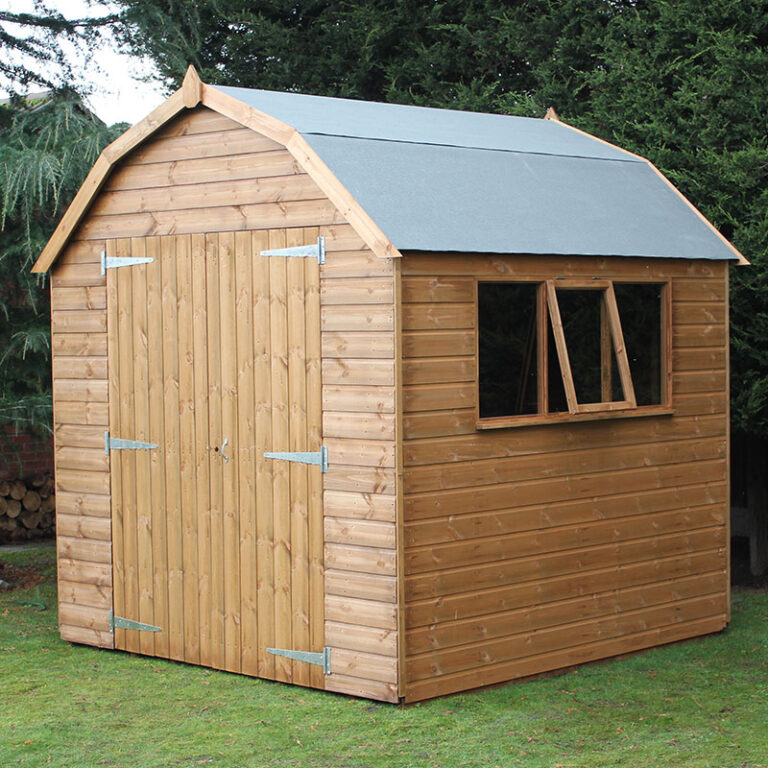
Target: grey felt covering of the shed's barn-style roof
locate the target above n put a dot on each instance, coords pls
(443, 180)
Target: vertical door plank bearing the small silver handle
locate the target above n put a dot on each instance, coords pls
(231, 555)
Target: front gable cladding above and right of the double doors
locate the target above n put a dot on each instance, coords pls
(205, 173)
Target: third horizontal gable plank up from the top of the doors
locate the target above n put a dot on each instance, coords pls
(248, 165)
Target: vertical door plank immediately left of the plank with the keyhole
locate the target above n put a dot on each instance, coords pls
(202, 490)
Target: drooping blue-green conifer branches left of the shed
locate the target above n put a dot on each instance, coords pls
(46, 149)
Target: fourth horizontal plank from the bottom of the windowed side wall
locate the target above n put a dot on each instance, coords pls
(473, 603)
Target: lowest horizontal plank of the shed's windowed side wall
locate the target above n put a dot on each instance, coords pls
(532, 665)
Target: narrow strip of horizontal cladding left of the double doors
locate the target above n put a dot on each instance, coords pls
(80, 417)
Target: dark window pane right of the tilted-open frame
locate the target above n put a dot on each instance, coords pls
(640, 312)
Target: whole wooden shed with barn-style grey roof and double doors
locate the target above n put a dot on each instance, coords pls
(385, 400)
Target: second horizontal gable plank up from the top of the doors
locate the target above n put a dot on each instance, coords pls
(205, 194)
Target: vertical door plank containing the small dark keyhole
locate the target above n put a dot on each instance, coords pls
(215, 461)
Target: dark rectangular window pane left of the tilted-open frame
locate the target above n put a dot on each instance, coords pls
(507, 349)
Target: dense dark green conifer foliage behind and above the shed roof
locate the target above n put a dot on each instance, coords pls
(683, 83)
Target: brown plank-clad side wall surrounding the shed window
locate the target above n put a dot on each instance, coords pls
(529, 549)
